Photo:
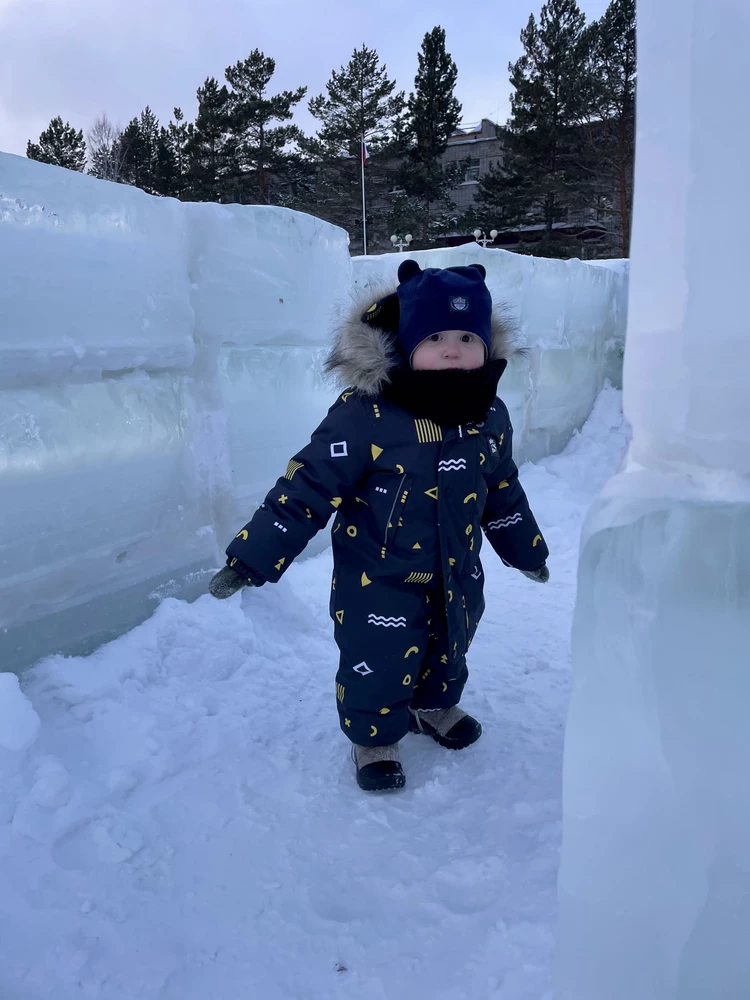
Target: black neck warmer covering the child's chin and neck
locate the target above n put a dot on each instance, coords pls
(449, 398)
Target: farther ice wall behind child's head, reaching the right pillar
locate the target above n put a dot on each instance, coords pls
(569, 316)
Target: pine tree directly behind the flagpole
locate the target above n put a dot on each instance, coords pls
(359, 104)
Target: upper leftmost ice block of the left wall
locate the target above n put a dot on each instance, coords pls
(93, 277)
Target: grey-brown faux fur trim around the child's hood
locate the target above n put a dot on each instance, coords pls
(362, 354)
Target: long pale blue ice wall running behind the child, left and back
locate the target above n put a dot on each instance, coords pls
(160, 362)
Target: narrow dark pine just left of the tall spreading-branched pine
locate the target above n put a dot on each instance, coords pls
(206, 144)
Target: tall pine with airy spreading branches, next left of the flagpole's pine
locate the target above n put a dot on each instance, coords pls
(258, 146)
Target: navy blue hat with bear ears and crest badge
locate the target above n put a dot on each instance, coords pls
(437, 299)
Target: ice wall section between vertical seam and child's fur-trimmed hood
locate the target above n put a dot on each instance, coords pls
(266, 283)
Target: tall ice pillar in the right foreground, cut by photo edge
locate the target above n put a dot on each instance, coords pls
(654, 885)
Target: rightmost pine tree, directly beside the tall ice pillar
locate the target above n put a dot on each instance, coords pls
(608, 129)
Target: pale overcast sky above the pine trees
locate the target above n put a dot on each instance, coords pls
(77, 58)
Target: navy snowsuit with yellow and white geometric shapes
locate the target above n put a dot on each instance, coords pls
(411, 500)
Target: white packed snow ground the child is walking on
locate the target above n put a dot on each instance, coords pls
(185, 825)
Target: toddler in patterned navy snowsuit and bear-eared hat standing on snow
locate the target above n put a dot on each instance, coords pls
(415, 461)
